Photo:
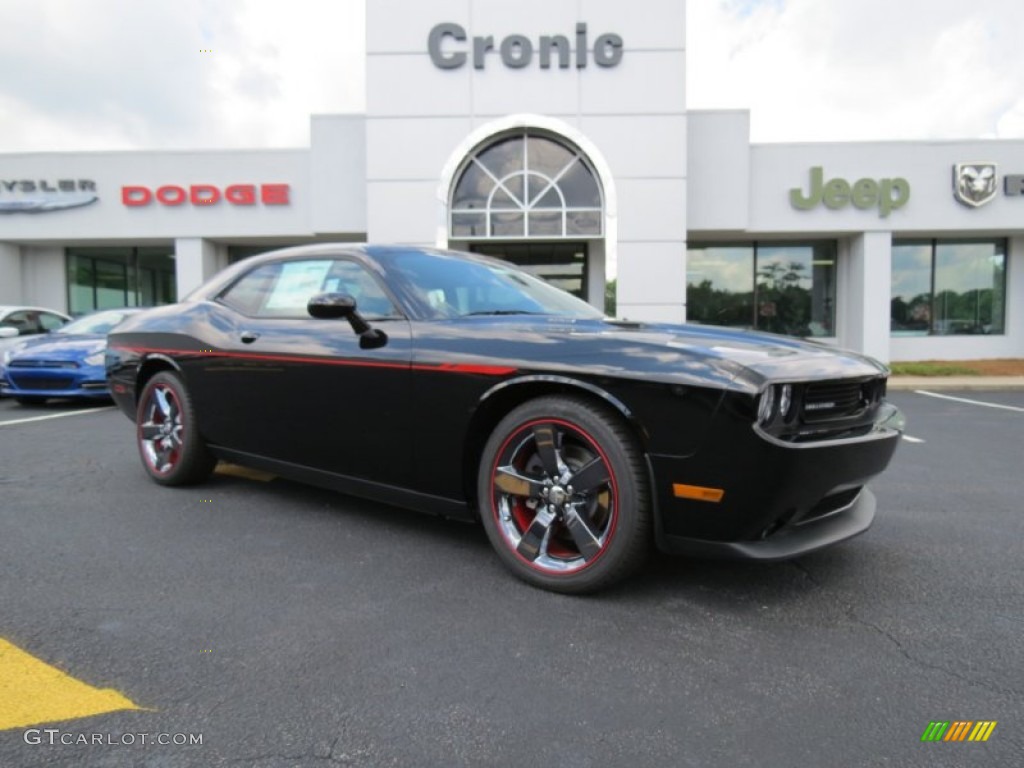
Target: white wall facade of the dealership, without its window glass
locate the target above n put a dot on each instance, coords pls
(448, 79)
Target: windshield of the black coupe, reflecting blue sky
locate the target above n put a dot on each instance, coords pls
(453, 287)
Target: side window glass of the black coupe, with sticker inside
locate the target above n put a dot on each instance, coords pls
(283, 289)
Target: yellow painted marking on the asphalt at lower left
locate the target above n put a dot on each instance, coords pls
(33, 693)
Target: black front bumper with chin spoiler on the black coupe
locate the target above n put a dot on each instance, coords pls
(780, 501)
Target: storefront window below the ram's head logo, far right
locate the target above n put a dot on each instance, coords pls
(949, 288)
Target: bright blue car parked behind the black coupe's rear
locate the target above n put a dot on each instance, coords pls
(65, 363)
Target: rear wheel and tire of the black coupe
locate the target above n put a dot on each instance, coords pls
(169, 443)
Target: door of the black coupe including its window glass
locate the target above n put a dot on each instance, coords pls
(293, 389)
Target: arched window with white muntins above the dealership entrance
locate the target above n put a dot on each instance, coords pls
(526, 186)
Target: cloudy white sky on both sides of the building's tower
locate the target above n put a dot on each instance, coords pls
(135, 74)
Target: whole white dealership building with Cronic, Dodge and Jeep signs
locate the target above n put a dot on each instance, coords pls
(557, 136)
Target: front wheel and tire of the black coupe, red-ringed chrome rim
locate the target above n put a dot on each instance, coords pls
(547, 532)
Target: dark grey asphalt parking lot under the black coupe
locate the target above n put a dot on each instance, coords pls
(293, 627)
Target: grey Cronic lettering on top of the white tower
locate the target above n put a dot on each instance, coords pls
(446, 44)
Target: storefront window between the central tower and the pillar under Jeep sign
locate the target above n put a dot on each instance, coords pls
(780, 288)
